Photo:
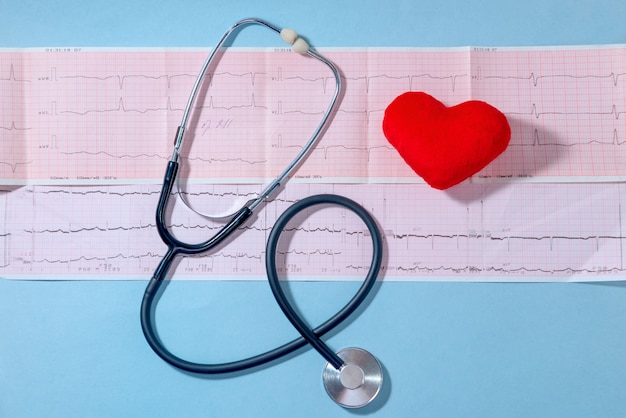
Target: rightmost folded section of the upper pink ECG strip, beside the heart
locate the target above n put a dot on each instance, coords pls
(567, 116)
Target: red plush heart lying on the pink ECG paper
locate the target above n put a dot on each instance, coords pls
(445, 145)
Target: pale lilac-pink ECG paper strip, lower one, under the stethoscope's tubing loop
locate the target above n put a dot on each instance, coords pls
(513, 232)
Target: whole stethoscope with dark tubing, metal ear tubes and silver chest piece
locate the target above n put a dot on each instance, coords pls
(352, 377)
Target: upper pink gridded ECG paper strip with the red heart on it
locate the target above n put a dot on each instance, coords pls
(74, 116)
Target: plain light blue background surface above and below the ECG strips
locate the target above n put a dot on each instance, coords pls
(75, 349)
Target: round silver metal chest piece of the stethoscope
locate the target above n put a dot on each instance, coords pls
(357, 382)
